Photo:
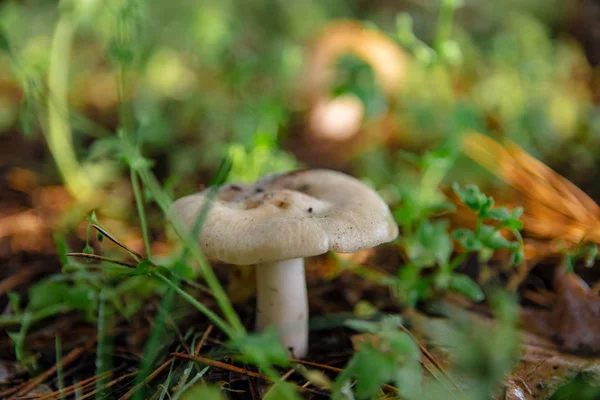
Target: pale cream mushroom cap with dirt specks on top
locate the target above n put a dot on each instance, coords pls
(298, 214)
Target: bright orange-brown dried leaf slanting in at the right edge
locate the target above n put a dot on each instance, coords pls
(555, 210)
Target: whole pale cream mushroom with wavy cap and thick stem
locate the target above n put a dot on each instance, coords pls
(278, 221)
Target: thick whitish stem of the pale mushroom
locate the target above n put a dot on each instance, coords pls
(281, 301)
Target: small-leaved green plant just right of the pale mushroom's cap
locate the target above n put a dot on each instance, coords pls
(428, 243)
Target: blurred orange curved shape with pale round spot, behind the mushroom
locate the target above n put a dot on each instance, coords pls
(336, 126)
